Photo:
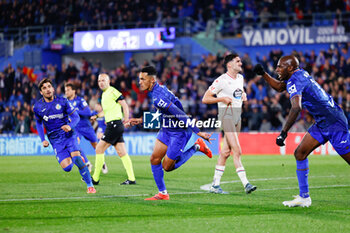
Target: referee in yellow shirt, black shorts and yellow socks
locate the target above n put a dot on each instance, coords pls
(114, 107)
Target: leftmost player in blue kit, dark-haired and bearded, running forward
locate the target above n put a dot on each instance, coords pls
(59, 118)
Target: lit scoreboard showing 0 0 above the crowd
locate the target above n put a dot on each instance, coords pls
(123, 40)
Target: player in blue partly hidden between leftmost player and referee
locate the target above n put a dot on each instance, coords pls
(84, 127)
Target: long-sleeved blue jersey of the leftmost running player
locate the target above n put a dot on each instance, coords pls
(54, 115)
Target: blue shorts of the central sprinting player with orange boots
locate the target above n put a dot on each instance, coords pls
(175, 140)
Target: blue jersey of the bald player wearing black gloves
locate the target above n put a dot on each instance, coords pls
(319, 103)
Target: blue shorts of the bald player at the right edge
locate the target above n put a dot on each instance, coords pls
(337, 134)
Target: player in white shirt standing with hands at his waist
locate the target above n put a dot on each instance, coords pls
(230, 94)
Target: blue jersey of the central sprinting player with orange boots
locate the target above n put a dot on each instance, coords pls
(169, 105)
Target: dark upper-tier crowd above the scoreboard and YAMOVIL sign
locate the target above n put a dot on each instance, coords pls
(232, 15)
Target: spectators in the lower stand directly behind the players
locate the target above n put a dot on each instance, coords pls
(264, 111)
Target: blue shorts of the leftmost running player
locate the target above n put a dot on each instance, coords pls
(65, 146)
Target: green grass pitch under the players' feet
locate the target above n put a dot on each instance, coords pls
(37, 196)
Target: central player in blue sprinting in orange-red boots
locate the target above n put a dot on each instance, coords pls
(168, 151)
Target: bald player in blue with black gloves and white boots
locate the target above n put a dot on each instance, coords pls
(330, 121)
